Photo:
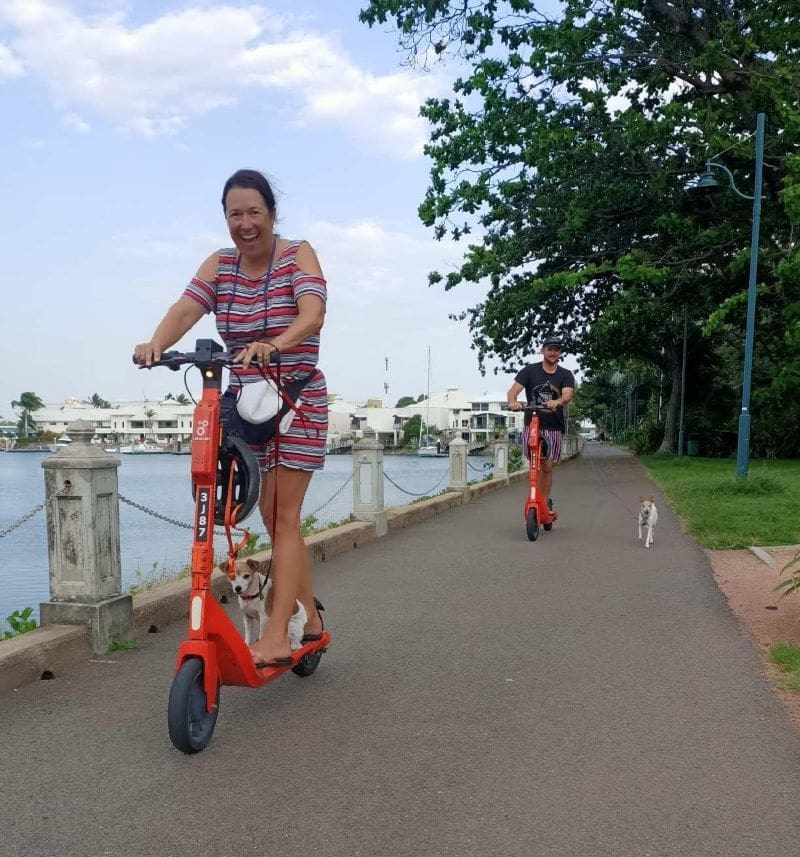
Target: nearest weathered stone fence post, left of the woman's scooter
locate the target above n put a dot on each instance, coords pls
(83, 540)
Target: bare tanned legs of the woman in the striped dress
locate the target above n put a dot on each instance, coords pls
(291, 567)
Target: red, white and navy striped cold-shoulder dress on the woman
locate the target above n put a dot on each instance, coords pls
(246, 314)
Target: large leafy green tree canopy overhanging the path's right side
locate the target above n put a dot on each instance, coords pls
(563, 160)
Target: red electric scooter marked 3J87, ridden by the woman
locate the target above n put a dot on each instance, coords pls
(226, 480)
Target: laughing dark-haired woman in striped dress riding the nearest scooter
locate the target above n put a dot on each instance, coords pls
(268, 294)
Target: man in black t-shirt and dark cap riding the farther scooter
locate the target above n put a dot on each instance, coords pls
(551, 386)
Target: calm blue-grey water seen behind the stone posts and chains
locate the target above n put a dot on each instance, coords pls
(161, 482)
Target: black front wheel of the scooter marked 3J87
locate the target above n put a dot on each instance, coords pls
(191, 724)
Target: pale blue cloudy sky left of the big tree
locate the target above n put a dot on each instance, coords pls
(122, 121)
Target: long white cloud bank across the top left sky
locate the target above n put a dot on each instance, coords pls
(152, 79)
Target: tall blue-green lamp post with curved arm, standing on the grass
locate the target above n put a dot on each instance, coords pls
(708, 180)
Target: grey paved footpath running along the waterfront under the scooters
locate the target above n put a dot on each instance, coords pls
(483, 695)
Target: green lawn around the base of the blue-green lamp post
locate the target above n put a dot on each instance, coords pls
(723, 512)
